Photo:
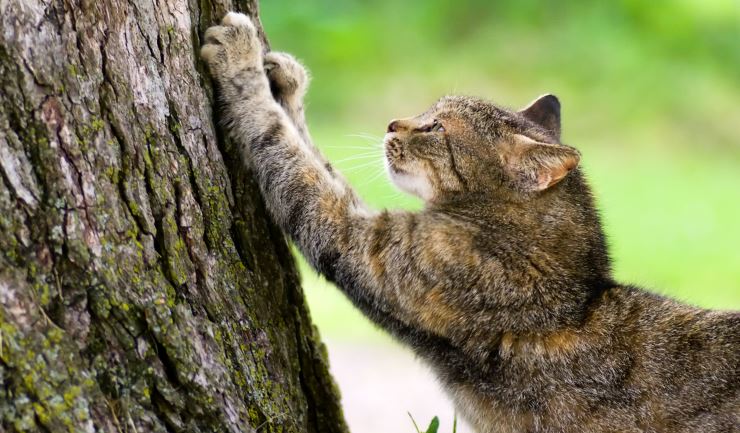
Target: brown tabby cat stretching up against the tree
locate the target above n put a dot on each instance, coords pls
(502, 283)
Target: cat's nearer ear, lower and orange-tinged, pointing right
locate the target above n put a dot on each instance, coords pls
(536, 166)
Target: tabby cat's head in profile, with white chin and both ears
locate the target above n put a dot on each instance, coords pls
(464, 144)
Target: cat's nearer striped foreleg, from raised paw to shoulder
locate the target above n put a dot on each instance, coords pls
(372, 256)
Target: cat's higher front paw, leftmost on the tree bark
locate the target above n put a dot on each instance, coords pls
(232, 47)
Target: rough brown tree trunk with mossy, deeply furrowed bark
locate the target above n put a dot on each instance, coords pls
(142, 286)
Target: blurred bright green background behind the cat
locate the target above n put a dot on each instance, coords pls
(650, 93)
